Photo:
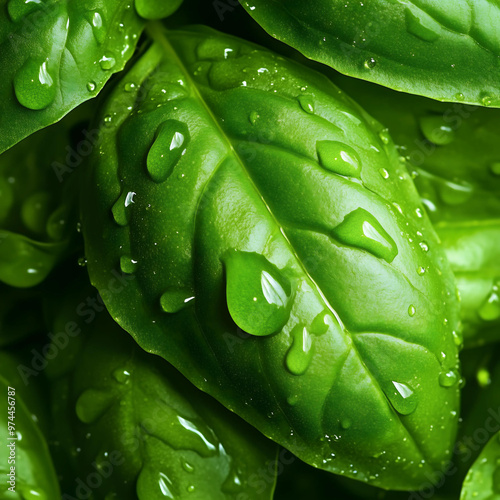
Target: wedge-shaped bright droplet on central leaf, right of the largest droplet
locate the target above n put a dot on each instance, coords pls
(360, 229)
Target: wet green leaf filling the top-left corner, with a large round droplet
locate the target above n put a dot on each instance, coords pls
(57, 54)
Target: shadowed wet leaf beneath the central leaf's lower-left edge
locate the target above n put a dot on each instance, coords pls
(147, 433)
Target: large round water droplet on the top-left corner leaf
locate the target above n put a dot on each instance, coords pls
(34, 86)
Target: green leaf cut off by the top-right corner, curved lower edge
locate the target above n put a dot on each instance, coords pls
(447, 50)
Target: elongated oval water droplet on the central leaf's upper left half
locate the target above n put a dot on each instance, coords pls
(171, 139)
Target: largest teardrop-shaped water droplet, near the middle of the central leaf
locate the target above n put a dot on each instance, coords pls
(257, 292)
